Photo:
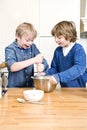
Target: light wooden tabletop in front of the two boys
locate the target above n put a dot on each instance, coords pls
(65, 109)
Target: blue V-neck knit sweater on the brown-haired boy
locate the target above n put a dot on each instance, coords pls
(69, 70)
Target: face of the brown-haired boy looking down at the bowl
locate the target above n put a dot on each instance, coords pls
(61, 41)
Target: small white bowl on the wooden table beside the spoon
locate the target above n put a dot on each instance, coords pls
(33, 95)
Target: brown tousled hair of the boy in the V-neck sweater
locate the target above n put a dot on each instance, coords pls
(65, 28)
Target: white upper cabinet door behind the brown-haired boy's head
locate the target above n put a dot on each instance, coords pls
(53, 11)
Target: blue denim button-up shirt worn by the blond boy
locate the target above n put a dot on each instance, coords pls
(21, 78)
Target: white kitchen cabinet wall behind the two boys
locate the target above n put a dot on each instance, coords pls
(43, 14)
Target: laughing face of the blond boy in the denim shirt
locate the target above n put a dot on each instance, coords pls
(25, 41)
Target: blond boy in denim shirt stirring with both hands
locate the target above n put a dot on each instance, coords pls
(21, 56)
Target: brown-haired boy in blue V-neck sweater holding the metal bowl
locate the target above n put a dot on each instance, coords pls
(69, 61)
